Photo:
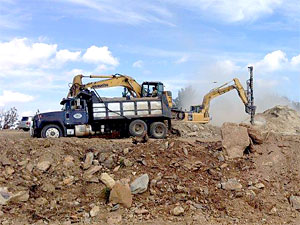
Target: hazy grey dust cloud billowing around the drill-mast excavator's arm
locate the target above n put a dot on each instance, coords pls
(229, 107)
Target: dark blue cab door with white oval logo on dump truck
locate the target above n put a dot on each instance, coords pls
(77, 113)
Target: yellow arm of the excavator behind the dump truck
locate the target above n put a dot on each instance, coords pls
(116, 80)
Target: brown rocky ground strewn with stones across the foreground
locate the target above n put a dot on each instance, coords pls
(237, 174)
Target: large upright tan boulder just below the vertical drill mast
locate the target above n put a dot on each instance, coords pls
(235, 139)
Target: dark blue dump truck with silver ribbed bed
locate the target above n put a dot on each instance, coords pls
(88, 114)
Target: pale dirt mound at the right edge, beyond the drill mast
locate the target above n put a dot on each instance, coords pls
(279, 119)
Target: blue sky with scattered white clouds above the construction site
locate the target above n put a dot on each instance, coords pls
(43, 44)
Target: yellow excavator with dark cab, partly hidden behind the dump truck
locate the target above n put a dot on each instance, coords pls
(131, 87)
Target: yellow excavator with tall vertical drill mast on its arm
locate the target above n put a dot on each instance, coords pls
(200, 113)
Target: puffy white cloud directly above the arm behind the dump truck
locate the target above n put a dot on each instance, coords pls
(96, 54)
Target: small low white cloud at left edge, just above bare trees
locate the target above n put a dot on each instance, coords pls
(14, 97)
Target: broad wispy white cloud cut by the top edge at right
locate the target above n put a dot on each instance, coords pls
(232, 10)
